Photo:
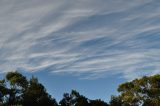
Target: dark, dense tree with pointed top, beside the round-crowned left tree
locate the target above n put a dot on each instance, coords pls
(36, 94)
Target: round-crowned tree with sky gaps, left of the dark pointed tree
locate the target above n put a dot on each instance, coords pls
(17, 85)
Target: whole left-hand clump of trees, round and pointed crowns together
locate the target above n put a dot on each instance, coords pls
(15, 89)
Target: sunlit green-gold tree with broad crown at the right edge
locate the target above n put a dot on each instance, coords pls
(144, 91)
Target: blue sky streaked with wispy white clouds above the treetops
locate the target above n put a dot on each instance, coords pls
(88, 45)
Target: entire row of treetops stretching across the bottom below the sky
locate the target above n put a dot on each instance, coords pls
(17, 90)
